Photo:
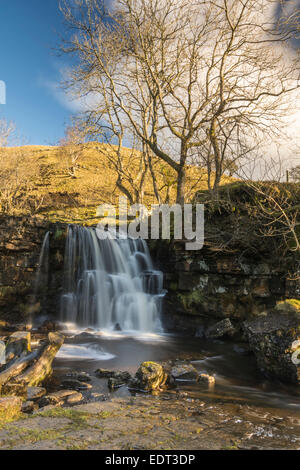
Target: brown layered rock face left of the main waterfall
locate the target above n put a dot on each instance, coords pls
(21, 239)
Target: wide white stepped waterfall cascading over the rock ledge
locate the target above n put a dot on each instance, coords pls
(109, 283)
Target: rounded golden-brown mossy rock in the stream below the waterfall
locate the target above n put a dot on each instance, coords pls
(150, 376)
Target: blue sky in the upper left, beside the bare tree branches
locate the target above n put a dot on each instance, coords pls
(29, 30)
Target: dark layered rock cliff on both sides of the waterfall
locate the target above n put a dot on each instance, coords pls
(203, 286)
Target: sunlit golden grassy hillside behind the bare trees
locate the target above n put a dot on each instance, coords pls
(50, 191)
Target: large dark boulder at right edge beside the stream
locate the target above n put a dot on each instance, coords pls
(275, 340)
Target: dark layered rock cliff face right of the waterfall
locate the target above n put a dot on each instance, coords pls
(204, 286)
